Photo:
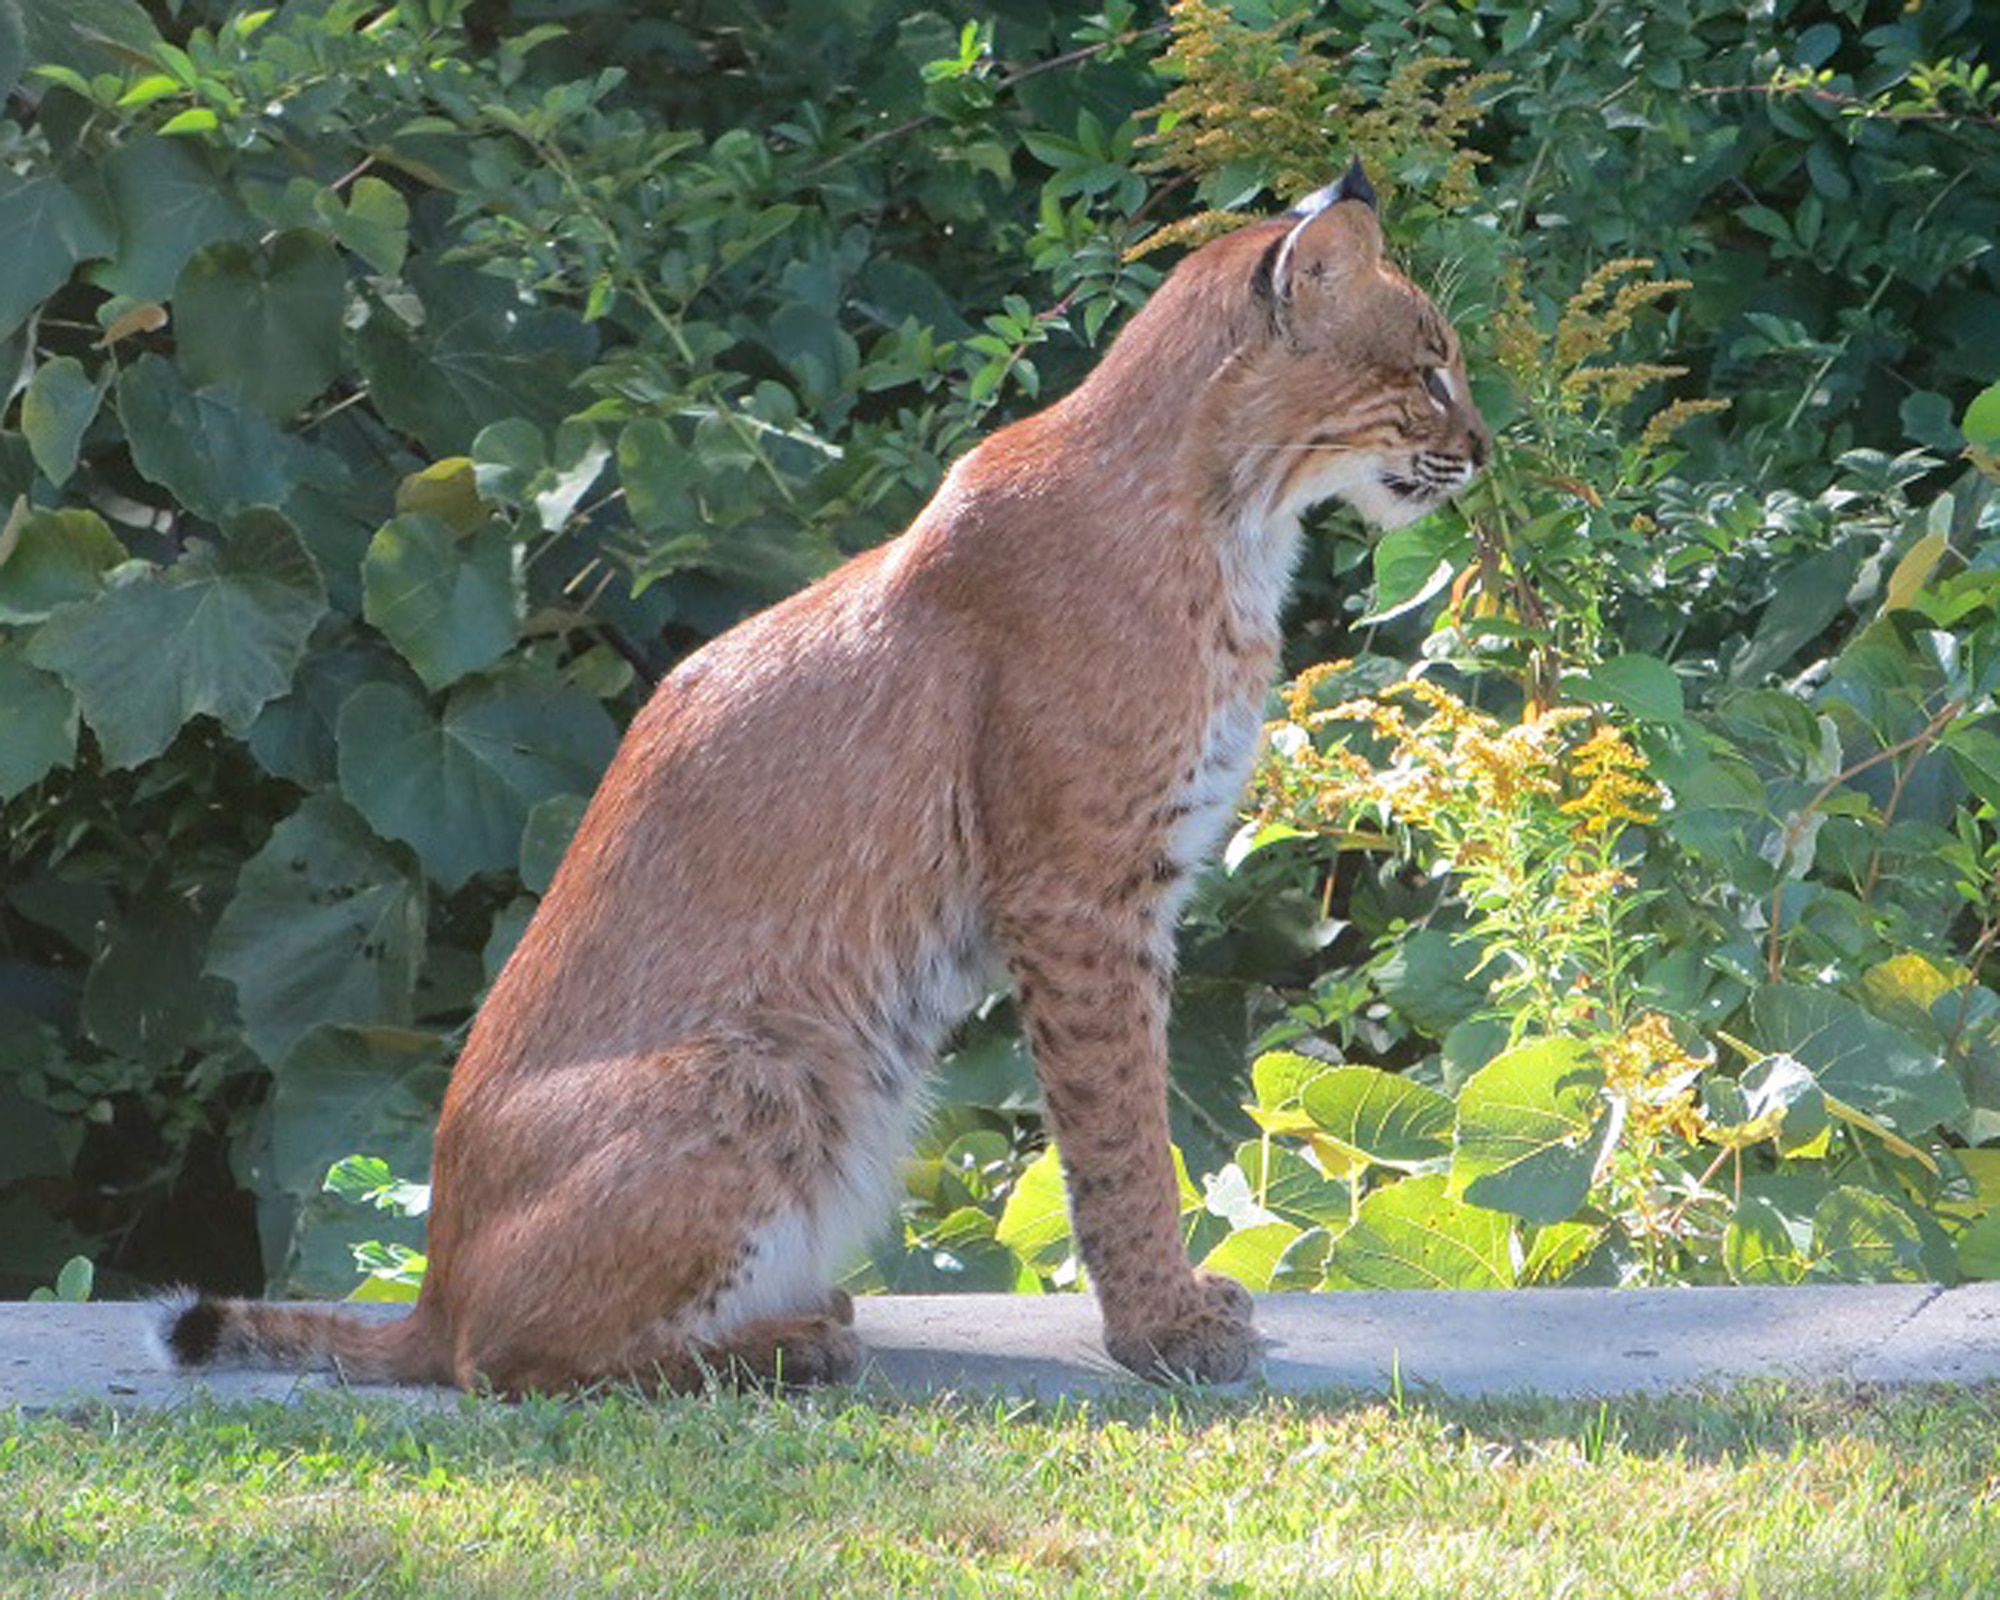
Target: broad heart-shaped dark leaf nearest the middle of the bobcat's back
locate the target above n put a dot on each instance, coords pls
(459, 787)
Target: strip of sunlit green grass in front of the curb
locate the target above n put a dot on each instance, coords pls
(1761, 1493)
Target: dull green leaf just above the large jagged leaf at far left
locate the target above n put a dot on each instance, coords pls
(209, 449)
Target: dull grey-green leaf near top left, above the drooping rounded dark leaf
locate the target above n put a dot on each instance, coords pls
(171, 203)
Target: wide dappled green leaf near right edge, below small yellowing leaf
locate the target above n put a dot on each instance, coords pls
(1859, 1059)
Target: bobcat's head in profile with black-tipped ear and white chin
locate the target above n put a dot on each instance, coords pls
(1349, 383)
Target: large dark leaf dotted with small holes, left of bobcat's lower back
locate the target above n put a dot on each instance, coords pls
(327, 927)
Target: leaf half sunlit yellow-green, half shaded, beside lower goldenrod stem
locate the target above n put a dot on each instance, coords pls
(1531, 1131)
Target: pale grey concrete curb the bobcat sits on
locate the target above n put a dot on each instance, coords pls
(1563, 1343)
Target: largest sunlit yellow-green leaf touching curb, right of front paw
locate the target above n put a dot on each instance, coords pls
(1415, 1235)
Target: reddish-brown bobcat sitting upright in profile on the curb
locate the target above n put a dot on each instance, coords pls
(997, 747)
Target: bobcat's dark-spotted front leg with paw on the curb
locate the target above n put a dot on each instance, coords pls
(1093, 997)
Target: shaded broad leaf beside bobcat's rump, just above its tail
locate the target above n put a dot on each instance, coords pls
(337, 1093)
